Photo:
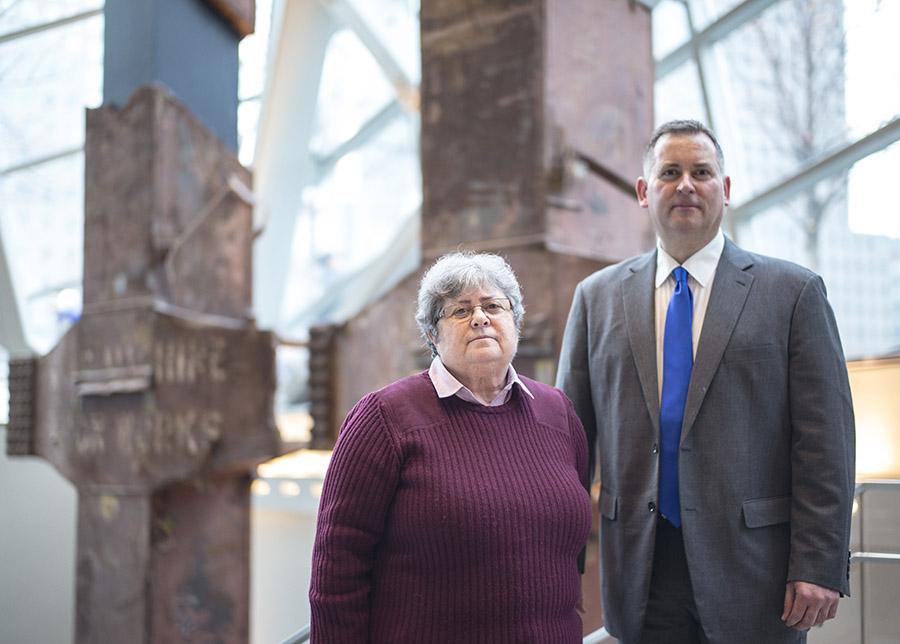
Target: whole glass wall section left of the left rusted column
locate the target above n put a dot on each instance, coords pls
(50, 70)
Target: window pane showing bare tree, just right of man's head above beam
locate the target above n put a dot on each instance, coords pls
(778, 91)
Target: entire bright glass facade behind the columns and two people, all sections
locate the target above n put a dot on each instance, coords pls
(787, 84)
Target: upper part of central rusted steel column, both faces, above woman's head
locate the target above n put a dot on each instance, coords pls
(518, 98)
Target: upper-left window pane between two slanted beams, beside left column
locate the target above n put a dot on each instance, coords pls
(46, 81)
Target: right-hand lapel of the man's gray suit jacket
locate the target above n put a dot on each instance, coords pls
(730, 289)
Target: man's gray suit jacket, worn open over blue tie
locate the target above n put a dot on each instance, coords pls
(766, 466)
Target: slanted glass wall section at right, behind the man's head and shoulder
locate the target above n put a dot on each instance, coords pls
(805, 98)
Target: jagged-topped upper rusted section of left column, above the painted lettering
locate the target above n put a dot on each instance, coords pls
(164, 218)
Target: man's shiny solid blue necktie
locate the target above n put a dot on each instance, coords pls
(678, 360)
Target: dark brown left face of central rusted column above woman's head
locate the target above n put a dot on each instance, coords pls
(481, 109)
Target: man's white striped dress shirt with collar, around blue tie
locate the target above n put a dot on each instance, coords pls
(701, 268)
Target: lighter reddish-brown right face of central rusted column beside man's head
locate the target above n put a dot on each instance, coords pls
(598, 112)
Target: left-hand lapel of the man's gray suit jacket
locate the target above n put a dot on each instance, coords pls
(637, 294)
